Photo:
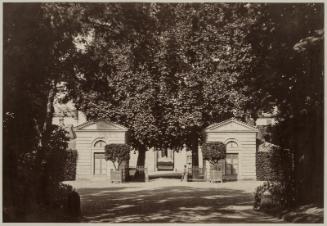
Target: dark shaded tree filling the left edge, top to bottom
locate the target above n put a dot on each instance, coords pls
(38, 44)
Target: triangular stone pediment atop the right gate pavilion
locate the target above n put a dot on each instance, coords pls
(231, 125)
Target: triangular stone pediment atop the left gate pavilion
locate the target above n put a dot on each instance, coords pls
(101, 125)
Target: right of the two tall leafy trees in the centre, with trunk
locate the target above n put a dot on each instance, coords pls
(213, 53)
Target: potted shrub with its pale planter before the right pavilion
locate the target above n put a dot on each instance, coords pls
(215, 152)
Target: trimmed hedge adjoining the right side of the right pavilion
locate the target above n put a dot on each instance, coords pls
(274, 165)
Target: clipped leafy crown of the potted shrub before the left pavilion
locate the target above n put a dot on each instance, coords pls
(117, 153)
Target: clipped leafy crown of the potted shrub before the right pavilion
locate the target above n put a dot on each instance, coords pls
(214, 151)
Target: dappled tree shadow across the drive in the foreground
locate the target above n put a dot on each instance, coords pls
(170, 204)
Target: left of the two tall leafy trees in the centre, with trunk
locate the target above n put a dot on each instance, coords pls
(115, 79)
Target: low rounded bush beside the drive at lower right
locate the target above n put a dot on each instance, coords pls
(282, 196)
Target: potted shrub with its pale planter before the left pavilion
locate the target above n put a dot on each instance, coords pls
(117, 154)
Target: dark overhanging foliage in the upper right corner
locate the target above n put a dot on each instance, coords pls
(280, 69)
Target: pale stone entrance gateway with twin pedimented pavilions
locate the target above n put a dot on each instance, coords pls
(240, 140)
